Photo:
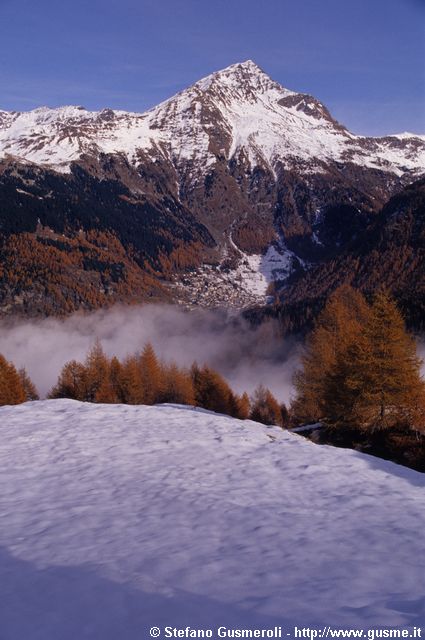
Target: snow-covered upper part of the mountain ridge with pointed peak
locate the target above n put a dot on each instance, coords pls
(239, 110)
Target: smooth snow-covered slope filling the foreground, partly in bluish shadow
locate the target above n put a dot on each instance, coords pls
(114, 519)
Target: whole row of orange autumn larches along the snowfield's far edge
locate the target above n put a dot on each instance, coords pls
(359, 377)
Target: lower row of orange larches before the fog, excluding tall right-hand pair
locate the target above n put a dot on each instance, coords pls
(144, 379)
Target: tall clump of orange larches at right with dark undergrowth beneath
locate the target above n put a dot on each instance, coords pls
(360, 378)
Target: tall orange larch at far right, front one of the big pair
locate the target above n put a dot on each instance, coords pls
(376, 383)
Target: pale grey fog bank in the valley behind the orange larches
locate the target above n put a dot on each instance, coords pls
(246, 356)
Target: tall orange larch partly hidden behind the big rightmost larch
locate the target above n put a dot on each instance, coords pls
(338, 325)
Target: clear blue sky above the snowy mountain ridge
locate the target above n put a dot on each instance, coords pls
(363, 58)
